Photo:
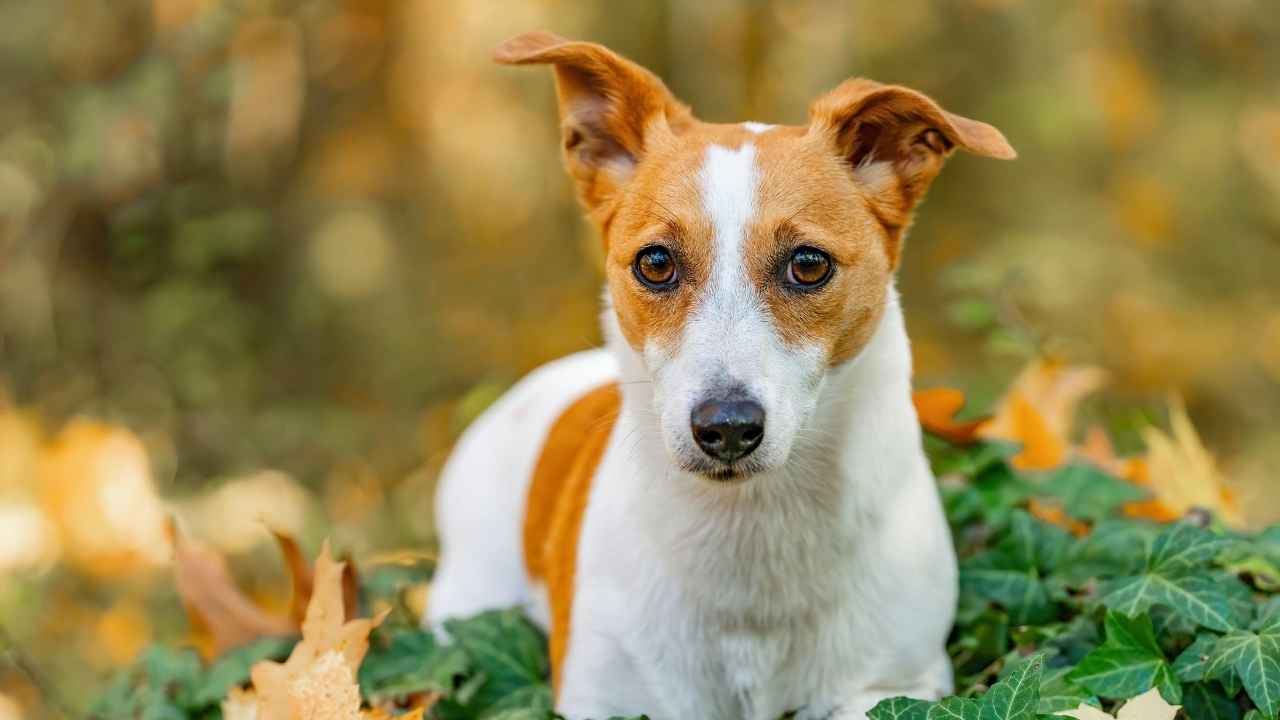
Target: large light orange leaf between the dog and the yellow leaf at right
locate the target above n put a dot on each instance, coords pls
(1039, 412)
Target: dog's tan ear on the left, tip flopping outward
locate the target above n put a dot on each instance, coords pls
(610, 110)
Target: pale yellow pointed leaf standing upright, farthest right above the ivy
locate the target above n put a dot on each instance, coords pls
(1182, 475)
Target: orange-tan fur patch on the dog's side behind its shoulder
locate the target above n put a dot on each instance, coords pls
(557, 503)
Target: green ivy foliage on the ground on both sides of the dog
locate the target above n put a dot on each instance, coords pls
(1048, 621)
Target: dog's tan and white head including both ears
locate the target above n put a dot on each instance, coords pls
(744, 261)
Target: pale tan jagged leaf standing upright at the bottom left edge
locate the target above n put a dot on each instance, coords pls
(318, 682)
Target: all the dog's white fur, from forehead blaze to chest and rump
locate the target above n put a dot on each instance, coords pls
(822, 585)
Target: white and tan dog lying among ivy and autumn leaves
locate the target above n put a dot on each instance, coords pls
(726, 513)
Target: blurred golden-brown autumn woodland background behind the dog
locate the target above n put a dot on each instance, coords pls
(262, 261)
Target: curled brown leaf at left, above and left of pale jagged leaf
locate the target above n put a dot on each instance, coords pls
(216, 603)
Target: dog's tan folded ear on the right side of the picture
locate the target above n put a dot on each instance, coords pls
(897, 142)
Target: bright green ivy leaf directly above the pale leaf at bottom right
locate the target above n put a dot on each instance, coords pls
(1128, 664)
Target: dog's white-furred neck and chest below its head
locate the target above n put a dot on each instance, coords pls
(821, 587)
